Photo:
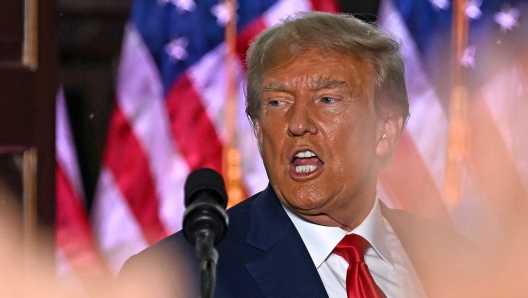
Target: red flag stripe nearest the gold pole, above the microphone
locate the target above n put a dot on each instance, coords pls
(193, 131)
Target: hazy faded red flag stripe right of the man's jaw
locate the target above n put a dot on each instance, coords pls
(408, 181)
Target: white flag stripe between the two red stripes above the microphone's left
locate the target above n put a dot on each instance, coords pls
(140, 95)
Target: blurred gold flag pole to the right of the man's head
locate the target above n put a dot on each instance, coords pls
(458, 137)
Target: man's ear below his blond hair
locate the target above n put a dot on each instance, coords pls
(388, 134)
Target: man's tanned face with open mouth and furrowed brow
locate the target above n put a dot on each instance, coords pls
(318, 131)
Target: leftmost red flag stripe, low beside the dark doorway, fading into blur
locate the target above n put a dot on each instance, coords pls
(74, 234)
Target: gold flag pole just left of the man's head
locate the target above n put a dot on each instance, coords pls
(231, 155)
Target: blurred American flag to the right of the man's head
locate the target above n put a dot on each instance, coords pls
(493, 169)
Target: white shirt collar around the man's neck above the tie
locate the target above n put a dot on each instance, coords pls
(321, 240)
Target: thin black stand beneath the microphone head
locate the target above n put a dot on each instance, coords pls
(208, 257)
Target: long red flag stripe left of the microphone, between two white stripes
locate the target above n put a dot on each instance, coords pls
(126, 159)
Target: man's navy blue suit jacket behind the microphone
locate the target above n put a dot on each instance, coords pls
(263, 255)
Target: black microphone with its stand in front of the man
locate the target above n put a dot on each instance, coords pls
(205, 221)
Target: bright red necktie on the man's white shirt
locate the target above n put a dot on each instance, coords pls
(359, 282)
